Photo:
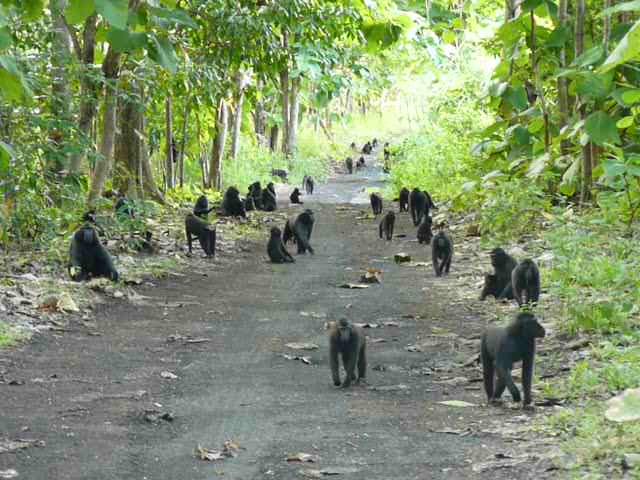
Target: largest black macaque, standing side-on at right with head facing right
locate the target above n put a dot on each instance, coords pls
(501, 348)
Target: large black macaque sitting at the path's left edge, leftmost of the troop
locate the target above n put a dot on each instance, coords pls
(87, 254)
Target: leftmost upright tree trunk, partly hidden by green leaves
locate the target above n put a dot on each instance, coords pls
(60, 81)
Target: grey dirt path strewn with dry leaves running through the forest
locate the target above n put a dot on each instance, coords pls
(85, 390)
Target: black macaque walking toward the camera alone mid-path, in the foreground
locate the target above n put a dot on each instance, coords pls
(349, 341)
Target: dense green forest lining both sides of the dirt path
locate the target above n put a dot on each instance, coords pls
(521, 120)
